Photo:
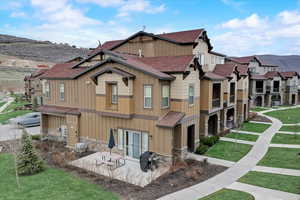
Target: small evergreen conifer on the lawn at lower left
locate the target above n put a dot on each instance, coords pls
(28, 161)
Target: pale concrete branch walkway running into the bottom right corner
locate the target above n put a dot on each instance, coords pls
(261, 193)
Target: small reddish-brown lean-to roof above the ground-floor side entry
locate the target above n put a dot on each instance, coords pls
(170, 120)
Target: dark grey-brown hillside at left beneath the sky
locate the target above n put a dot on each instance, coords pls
(45, 51)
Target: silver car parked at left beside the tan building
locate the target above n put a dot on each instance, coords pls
(28, 120)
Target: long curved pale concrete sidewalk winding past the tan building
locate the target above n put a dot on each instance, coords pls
(231, 175)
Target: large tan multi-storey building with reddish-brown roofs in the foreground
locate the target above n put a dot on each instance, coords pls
(155, 92)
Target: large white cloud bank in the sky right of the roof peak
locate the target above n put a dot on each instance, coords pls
(256, 35)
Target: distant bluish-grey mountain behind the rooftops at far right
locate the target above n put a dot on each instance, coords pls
(286, 63)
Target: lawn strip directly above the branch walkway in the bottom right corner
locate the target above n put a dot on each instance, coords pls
(280, 182)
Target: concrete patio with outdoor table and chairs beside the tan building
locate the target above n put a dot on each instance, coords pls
(130, 172)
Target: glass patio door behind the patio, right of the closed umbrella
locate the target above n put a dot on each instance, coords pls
(133, 144)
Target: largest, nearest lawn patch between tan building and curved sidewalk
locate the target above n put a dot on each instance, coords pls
(228, 151)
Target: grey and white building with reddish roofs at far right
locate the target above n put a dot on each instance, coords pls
(269, 86)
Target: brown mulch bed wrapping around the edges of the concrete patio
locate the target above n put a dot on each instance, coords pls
(184, 174)
